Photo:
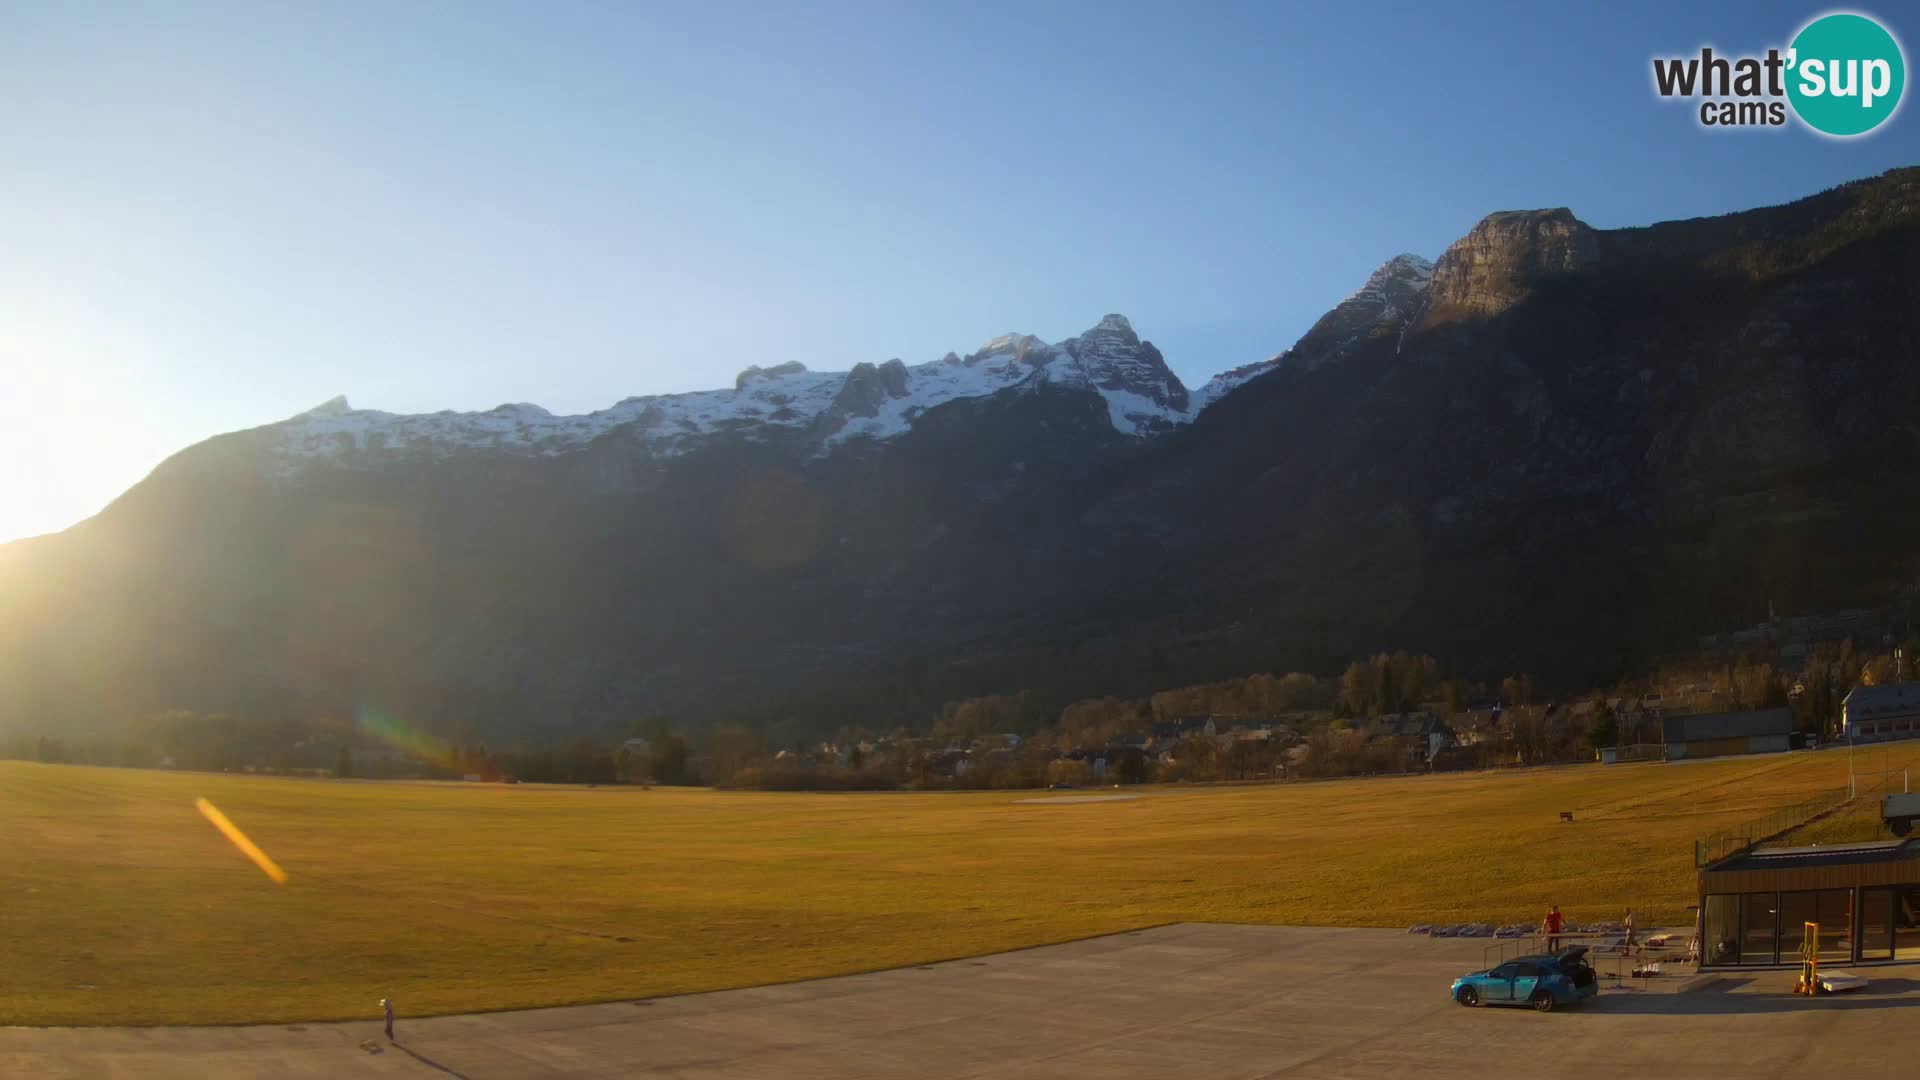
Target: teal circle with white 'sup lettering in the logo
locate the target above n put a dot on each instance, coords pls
(1846, 74)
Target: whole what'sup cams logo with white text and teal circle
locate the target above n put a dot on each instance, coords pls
(1842, 76)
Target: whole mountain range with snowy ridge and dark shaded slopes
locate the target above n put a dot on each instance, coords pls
(1556, 449)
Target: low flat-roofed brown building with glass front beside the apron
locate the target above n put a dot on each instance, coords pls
(1865, 896)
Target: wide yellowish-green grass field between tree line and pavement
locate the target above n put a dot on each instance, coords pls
(122, 906)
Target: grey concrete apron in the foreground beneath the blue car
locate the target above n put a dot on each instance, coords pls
(1193, 1000)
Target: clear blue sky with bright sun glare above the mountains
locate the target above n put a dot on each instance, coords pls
(220, 216)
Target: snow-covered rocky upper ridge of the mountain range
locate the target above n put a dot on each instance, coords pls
(875, 403)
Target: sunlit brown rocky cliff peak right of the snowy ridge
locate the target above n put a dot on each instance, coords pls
(1504, 257)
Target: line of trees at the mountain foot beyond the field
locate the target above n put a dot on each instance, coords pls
(1328, 725)
